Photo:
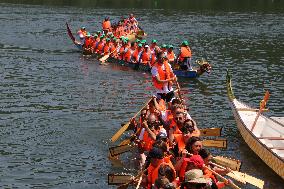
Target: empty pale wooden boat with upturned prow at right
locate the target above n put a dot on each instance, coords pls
(266, 139)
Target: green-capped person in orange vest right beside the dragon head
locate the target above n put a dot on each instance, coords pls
(185, 56)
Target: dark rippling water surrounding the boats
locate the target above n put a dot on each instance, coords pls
(47, 143)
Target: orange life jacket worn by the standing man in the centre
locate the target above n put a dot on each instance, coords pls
(163, 74)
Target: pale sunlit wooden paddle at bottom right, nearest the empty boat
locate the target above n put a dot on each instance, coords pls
(243, 177)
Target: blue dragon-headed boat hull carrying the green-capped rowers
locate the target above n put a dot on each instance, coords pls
(203, 65)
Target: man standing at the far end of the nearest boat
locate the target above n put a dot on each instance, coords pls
(162, 77)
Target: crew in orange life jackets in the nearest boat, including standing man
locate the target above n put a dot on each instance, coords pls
(170, 149)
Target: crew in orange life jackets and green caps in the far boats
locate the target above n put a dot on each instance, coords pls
(116, 44)
